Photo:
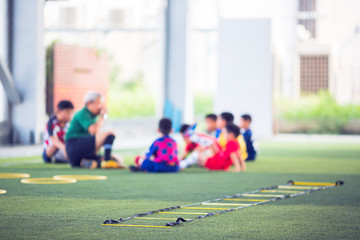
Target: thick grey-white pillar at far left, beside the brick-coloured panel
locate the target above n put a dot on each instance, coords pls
(28, 70)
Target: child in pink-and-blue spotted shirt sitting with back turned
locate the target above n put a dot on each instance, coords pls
(162, 155)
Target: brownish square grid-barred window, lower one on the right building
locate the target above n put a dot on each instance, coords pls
(314, 73)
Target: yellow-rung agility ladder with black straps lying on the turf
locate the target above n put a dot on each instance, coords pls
(228, 203)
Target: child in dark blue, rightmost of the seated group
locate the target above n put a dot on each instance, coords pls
(245, 122)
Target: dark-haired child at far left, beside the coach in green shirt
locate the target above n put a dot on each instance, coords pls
(54, 143)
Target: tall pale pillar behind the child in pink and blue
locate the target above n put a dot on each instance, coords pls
(178, 91)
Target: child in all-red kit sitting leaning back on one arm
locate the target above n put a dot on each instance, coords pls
(224, 159)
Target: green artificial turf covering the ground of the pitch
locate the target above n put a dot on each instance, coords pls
(76, 211)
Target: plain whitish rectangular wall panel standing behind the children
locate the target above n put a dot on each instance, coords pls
(245, 71)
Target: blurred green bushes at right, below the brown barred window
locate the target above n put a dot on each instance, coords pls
(319, 109)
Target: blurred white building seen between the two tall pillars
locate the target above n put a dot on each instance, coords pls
(131, 33)
